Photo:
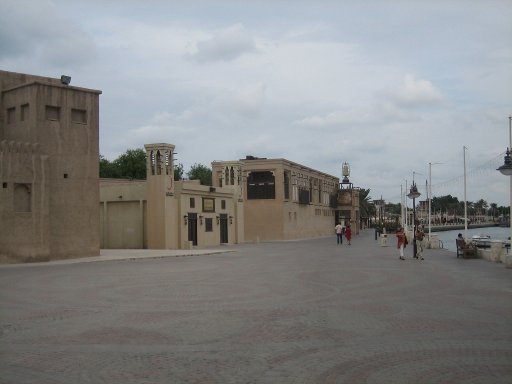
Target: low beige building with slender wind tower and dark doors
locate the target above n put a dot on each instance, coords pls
(161, 213)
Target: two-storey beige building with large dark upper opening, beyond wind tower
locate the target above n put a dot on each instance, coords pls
(281, 200)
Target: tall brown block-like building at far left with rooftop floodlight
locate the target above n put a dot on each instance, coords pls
(49, 152)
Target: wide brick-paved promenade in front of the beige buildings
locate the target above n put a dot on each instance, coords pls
(305, 311)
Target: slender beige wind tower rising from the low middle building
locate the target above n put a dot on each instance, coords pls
(162, 206)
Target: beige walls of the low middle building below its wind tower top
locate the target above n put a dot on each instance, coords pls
(127, 223)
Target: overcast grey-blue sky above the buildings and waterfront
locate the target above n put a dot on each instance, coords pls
(387, 86)
